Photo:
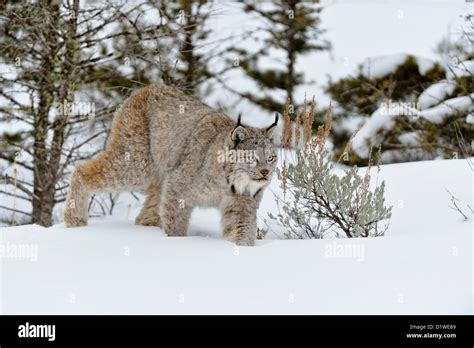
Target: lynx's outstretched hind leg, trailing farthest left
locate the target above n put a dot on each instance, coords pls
(100, 174)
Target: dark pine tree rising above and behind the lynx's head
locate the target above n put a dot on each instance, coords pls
(291, 27)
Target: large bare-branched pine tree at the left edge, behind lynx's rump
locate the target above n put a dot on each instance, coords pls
(56, 59)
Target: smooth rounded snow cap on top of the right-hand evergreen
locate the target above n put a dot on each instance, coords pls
(380, 66)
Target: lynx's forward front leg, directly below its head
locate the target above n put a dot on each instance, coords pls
(239, 216)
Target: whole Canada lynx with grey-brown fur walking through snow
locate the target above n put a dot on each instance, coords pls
(183, 154)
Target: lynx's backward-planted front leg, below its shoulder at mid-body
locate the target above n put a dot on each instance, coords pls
(175, 212)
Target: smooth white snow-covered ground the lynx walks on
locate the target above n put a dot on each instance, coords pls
(422, 266)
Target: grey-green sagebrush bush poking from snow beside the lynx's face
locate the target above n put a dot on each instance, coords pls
(318, 201)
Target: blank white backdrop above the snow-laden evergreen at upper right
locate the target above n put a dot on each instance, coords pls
(359, 29)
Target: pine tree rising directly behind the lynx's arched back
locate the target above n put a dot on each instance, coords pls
(176, 59)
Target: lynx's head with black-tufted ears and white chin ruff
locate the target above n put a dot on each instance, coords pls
(254, 158)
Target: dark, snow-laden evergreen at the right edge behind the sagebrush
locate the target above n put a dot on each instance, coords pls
(411, 137)
